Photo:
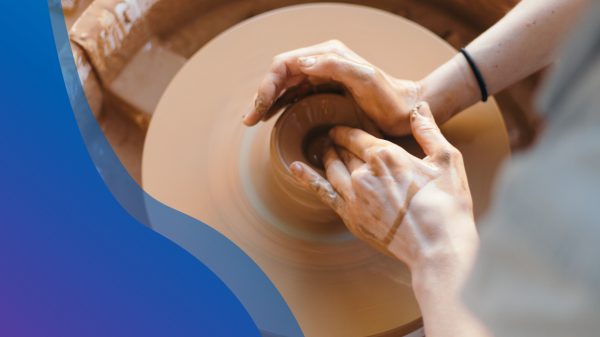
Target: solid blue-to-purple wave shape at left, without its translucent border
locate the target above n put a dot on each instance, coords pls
(73, 262)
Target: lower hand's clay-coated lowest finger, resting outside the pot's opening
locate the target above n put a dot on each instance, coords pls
(318, 185)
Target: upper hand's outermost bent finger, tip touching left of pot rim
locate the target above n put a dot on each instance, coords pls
(284, 73)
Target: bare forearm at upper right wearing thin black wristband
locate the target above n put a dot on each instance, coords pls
(521, 43)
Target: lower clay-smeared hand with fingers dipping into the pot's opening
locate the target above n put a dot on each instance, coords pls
(418, 210)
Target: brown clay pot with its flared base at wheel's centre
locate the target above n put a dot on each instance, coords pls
(300, 134)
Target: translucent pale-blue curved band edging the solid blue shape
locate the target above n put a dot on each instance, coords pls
(233, 267)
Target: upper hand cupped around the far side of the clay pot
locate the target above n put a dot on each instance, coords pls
(386, 100)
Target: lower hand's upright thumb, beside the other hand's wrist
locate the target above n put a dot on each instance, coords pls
(426, 131)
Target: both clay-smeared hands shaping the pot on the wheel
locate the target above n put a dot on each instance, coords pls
(418, 210)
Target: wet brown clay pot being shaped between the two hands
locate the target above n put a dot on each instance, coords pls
(300, 134)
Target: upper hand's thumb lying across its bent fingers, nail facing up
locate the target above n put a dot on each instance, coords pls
(352, 74)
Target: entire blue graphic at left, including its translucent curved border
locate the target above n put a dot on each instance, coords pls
(75, 258)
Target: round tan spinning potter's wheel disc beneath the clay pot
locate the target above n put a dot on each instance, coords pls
(200, 159)
